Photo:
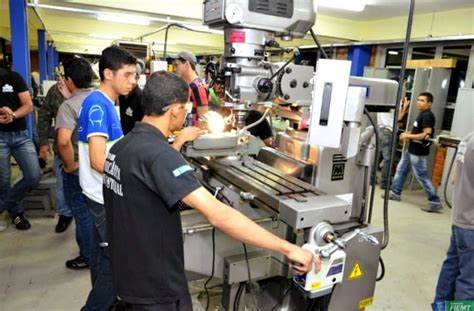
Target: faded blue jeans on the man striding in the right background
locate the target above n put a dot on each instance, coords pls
(419, 167)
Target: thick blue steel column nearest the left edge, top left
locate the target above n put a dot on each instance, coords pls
(20, 46)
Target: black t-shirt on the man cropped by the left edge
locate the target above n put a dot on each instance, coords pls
(11, 83)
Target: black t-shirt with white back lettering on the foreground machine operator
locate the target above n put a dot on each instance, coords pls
(145, 179)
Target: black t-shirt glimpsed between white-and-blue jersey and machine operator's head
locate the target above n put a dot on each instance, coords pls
(130, 109)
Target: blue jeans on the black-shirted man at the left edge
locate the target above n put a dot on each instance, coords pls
(21, 147)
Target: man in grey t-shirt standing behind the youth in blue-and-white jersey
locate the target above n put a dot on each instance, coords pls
(78, 77)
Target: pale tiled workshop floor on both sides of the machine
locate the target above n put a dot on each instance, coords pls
(33, 276)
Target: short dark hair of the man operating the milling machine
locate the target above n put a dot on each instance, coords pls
(161, 90)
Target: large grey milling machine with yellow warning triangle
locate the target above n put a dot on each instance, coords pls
(325, 209)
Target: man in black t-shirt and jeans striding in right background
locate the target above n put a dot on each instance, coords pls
(417, 154)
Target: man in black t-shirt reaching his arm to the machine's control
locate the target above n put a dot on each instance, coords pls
(145, 183)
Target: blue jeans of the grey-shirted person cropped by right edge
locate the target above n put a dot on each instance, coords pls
(456, 279)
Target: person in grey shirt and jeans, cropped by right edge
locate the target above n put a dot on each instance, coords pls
(456, 279)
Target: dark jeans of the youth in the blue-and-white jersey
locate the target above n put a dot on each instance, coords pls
(102, 294)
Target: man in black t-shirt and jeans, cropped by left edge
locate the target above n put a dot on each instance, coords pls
(15, 104)
